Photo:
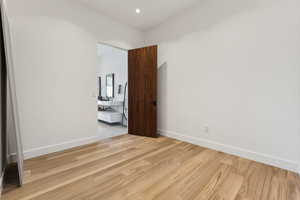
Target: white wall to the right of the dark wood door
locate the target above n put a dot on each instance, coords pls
(233, 66)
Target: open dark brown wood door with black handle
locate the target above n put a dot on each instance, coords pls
(142, 94)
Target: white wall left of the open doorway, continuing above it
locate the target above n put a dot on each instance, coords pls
(55, 55)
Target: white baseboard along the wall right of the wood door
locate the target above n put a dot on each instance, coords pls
(244, 153)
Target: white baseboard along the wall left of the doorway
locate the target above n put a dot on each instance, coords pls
(55, 148)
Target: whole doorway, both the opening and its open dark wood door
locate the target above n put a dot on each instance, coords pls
(127, 91)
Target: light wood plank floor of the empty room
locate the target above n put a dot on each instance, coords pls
(137, 168)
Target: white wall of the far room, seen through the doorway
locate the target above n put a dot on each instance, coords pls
(112, 60)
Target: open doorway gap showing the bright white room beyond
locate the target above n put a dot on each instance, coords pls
(112, 98)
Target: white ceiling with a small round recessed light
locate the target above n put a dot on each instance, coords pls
(152, 13)
